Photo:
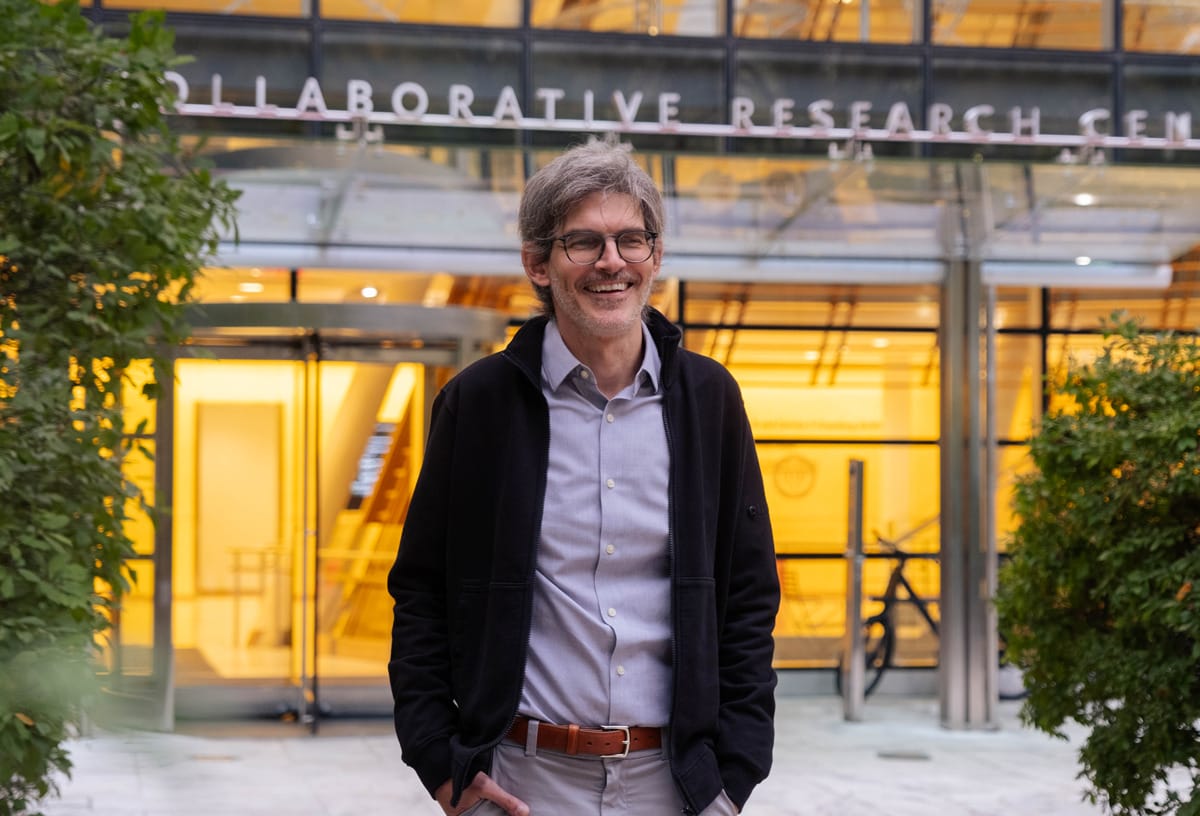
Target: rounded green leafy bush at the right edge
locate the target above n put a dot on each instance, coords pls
(1102, 597)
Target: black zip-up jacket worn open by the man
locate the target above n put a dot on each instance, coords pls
(464, 577)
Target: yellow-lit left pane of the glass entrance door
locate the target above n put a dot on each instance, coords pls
(238, 521)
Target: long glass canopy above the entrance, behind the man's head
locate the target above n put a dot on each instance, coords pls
(356, 206)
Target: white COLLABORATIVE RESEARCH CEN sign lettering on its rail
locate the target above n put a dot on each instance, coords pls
(409, 104)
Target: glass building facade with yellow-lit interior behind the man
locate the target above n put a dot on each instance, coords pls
(892, 220)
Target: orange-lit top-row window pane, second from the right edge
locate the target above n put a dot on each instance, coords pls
(1081, 25)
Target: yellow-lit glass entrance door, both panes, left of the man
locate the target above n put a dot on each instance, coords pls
(293, 469)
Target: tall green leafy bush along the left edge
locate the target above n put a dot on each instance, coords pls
(104, 225)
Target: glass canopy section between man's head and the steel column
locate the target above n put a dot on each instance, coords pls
(859, 223)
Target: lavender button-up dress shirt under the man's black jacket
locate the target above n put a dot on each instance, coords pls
(601, 646)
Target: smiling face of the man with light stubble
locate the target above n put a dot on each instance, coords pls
(602, 302)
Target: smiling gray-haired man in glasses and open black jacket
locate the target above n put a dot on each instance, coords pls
(586, 585)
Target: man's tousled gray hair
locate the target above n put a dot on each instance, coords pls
(557, 189)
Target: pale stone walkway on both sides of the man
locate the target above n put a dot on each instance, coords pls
(898, 761)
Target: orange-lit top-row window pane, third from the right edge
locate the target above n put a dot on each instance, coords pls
(842, 21)
